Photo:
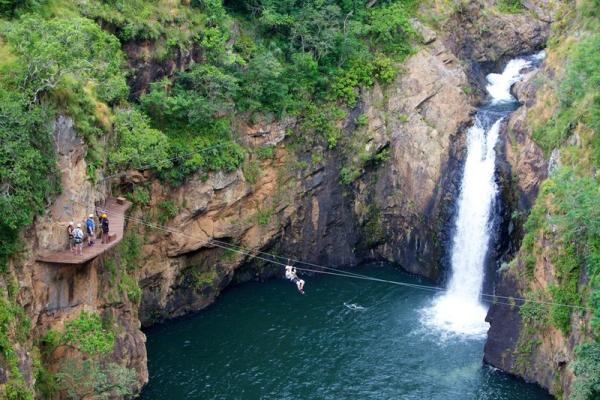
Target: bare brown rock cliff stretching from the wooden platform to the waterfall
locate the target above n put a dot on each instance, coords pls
(399, 208)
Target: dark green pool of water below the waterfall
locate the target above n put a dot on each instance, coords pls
(266, 341)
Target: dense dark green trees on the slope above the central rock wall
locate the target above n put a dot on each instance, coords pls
(286, 58)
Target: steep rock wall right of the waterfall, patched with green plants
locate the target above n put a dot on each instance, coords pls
(529, 341)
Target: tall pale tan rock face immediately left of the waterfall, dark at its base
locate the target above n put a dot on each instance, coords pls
(422, 121)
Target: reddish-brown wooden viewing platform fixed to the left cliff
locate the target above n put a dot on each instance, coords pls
(115, 209)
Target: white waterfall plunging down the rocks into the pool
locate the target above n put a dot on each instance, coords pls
(459, 310)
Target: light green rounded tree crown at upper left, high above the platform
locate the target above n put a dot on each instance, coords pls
(51, 50)
